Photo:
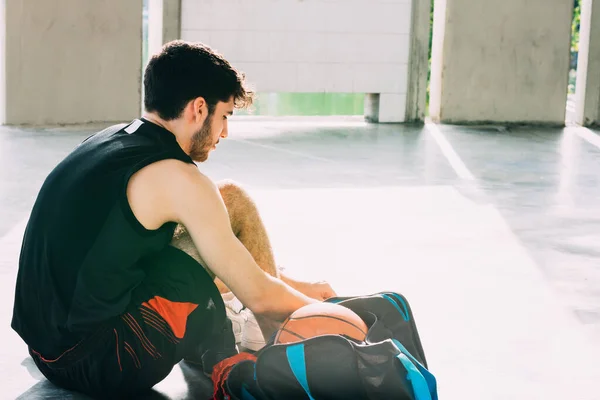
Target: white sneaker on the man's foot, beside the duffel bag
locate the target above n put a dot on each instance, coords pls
(245, 327)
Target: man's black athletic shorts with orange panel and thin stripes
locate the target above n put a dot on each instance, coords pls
(177, 312)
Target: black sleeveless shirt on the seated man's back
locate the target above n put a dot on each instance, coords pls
(83, 249)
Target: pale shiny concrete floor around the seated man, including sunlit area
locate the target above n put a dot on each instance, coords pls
(491, 233)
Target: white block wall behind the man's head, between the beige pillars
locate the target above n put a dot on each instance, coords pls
(358, 46)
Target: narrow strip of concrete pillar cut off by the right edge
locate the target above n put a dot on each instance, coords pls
(587, 96)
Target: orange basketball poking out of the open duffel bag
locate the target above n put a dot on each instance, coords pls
(321, 319)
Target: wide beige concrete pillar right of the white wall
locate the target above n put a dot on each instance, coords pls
(500, 61)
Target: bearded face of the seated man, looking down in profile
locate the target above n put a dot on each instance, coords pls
(205, 139)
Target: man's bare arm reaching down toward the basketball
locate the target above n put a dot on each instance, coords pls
(194, 201)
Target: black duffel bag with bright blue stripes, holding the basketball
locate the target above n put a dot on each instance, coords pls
(389, 364)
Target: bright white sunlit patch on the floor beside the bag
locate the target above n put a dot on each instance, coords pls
(484, 310)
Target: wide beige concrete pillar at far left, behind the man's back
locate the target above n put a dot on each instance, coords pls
(71, 61)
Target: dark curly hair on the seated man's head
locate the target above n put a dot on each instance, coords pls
(183, 71)
